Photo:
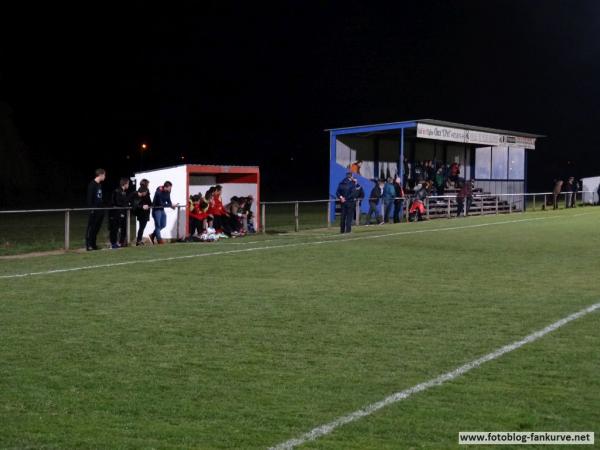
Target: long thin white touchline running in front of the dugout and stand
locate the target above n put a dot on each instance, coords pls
(334, 239)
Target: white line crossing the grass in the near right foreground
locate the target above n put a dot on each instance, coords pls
(327, 428)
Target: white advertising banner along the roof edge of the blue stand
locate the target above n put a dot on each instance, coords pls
(439, 133)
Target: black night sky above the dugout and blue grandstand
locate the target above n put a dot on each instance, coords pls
(245, 84)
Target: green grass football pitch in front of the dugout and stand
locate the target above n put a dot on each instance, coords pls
(250, 342)
